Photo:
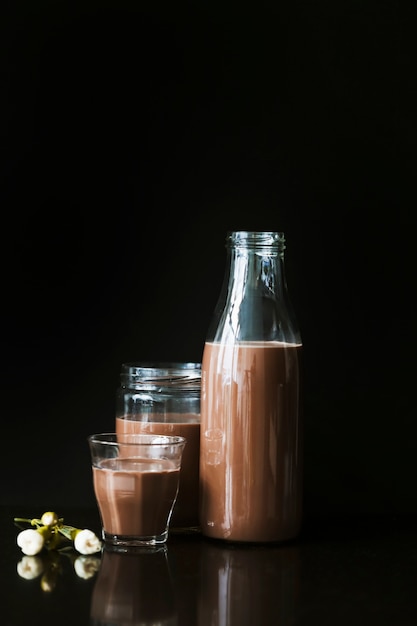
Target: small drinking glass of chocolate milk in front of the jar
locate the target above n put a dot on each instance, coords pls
(136, 480)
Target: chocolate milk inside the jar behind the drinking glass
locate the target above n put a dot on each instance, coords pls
(185, 513)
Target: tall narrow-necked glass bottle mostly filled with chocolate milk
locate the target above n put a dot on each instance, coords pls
(251, 431)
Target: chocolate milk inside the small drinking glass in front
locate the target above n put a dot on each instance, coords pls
(133, 497)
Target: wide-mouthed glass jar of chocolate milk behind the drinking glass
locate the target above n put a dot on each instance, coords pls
(164, 398)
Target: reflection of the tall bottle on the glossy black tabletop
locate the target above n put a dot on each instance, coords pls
(243, 584)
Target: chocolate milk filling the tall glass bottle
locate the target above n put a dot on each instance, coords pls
(250, 469)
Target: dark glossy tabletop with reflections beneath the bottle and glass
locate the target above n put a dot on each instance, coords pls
(352, 572)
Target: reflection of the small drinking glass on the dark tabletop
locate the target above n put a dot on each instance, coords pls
(134, 589)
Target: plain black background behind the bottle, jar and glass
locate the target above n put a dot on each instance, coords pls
(134, 135)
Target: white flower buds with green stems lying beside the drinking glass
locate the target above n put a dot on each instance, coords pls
(49, 533)
